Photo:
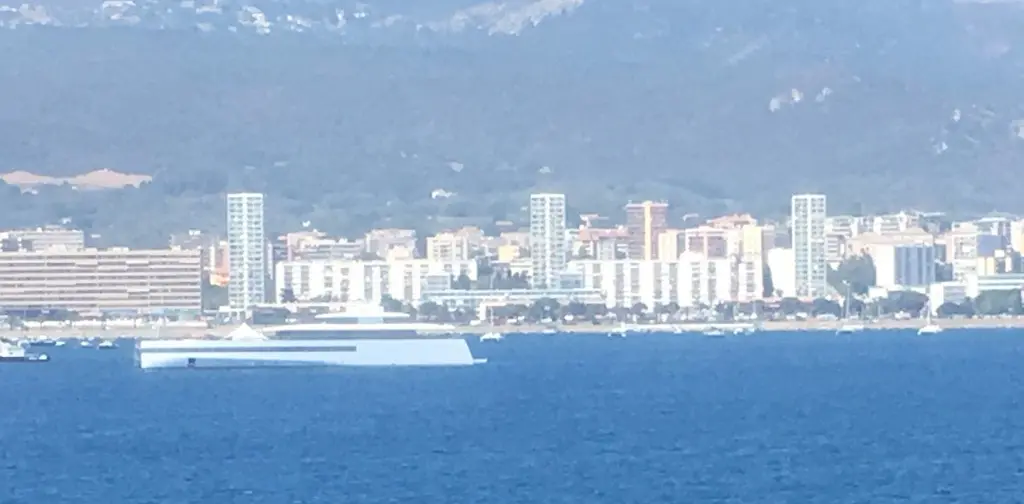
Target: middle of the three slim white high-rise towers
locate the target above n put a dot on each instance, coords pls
(547, 239)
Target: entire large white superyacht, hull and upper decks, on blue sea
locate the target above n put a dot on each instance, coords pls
(366, 337)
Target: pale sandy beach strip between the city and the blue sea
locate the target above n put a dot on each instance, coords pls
(690, 327)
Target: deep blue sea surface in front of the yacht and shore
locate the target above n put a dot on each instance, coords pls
(886, 417)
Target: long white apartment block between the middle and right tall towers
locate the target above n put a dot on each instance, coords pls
(691, 281)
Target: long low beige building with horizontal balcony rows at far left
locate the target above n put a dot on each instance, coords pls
(113, 280)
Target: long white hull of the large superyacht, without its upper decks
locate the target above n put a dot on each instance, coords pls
(366, 353)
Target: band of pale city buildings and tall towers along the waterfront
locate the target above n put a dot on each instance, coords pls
(647, 261)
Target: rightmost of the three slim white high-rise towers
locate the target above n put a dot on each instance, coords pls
(808, 215)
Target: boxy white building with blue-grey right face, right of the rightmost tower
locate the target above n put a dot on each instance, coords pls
(899, 266)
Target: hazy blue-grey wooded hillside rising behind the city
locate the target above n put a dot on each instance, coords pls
(352, 114)
